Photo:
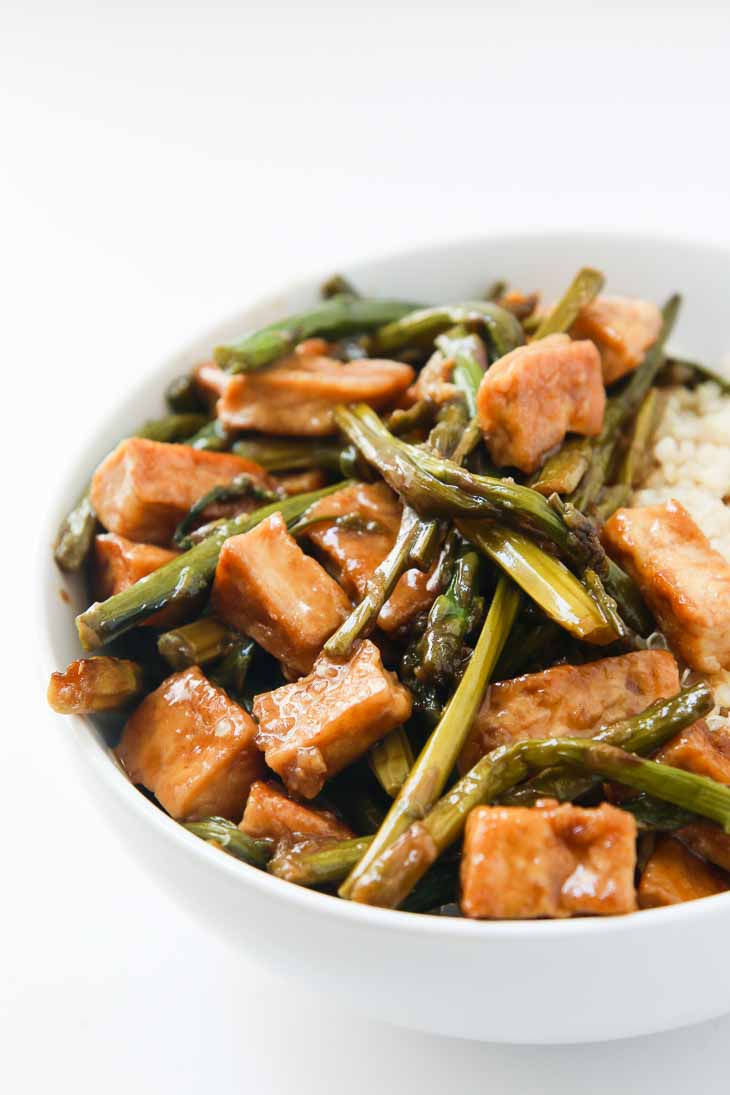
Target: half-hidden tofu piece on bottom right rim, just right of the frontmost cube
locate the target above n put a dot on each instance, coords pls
(674, 875)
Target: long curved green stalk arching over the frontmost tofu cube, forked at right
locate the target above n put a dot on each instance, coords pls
(396, 872)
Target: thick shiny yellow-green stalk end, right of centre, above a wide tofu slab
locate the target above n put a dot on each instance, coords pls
(546, 580)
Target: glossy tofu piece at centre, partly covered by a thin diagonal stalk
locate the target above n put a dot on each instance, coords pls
(353, 554)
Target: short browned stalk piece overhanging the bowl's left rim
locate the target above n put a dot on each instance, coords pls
(92, 685)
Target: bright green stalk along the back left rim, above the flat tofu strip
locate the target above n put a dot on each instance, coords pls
(340, 316)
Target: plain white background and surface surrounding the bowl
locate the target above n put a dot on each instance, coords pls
(163, 165)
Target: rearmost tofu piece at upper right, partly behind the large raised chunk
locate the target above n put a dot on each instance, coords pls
(623, 329)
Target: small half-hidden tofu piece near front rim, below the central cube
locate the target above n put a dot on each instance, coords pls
(270, 813)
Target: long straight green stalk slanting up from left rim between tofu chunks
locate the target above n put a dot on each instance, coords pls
(181, 581)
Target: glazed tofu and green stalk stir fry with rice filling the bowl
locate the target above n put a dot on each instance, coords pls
(427, 606)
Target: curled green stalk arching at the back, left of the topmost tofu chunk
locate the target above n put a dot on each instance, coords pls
(502, 330)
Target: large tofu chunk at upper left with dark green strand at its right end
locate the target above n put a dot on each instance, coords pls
(145, 489)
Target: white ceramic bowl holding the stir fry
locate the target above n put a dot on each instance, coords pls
(564, 982)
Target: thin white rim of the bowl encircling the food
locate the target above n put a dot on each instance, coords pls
(109, 773)
